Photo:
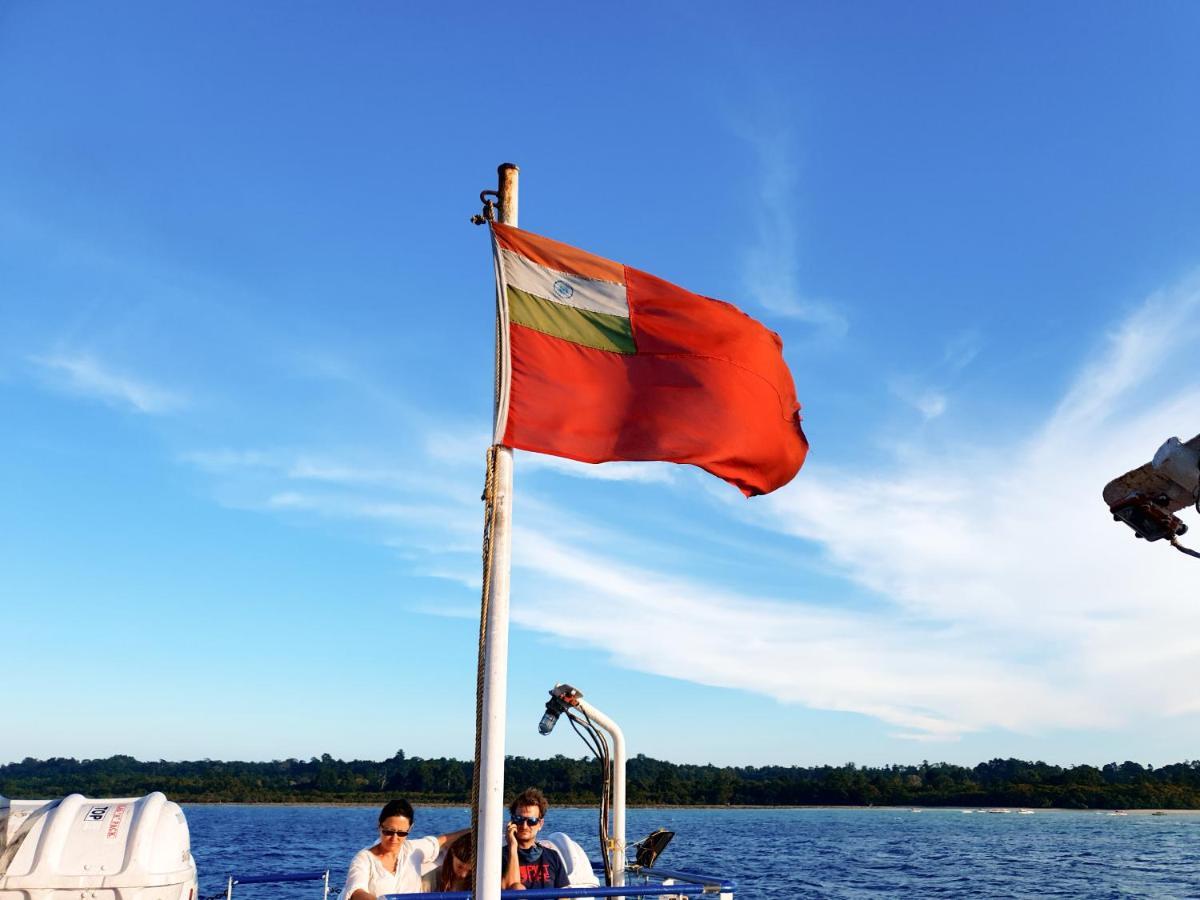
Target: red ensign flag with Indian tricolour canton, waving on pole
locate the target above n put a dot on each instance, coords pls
(609, 363)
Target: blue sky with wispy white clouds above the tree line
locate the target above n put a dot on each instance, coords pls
(245, 376)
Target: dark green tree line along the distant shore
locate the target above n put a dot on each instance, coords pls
(999, 783)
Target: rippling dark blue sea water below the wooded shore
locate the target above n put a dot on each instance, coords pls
(775, 855)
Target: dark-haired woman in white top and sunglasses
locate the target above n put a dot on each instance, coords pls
(395, 865)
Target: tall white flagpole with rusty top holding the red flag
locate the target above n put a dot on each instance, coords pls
(489, 841)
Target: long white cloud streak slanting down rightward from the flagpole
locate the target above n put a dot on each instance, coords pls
(794, 652)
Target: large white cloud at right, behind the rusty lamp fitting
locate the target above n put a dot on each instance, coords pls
(1012, 548)
